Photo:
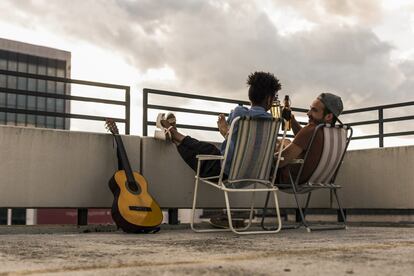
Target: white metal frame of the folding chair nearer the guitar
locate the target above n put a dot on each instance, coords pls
(269, 186)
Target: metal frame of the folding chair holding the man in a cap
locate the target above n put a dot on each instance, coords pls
(295, 188)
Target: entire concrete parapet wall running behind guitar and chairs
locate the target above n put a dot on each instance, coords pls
(58, 168)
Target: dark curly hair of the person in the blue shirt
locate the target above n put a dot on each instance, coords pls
(262, 85)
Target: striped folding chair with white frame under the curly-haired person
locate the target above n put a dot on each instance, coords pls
(250, 159)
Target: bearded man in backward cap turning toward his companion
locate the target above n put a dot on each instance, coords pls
(326, 108)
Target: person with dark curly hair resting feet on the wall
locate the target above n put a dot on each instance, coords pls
(262, 91)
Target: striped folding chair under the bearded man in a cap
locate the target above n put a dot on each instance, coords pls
(336, 141)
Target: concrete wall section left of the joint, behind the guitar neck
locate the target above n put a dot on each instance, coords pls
(58, 168)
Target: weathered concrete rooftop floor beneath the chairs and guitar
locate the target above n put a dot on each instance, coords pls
(177, 250)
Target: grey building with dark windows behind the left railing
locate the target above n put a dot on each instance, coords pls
(27, 58)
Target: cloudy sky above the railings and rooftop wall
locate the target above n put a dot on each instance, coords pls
(361, 49)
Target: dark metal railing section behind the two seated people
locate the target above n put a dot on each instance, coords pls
(380, 111)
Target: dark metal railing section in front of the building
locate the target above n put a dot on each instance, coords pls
(126, 103)
